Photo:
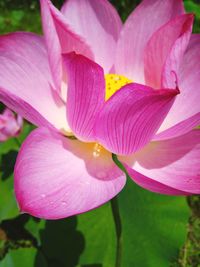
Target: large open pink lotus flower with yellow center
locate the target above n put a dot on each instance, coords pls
(148, 122)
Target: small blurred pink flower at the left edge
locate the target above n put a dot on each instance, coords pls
(10, 125)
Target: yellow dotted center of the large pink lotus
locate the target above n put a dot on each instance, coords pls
(113, 83)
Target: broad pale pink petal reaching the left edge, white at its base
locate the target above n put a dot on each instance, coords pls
(25, 80)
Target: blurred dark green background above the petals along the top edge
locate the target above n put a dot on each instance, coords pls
(24, 14)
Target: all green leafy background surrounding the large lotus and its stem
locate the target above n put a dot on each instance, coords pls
(158, 231)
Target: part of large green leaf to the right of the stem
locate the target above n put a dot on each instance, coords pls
(154, 227)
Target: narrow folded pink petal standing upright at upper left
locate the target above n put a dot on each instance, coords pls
(59, 39)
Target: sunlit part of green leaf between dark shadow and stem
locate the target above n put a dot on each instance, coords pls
(98, 229)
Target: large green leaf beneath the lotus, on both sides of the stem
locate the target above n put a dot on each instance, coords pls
(153, 227)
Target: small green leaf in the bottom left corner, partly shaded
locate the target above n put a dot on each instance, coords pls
(28, 257)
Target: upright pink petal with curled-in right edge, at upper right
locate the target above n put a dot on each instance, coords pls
(172, 37)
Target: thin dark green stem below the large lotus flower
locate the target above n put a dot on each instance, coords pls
(118, 229)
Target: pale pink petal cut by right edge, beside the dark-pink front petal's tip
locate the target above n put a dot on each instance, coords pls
(185, 113)
